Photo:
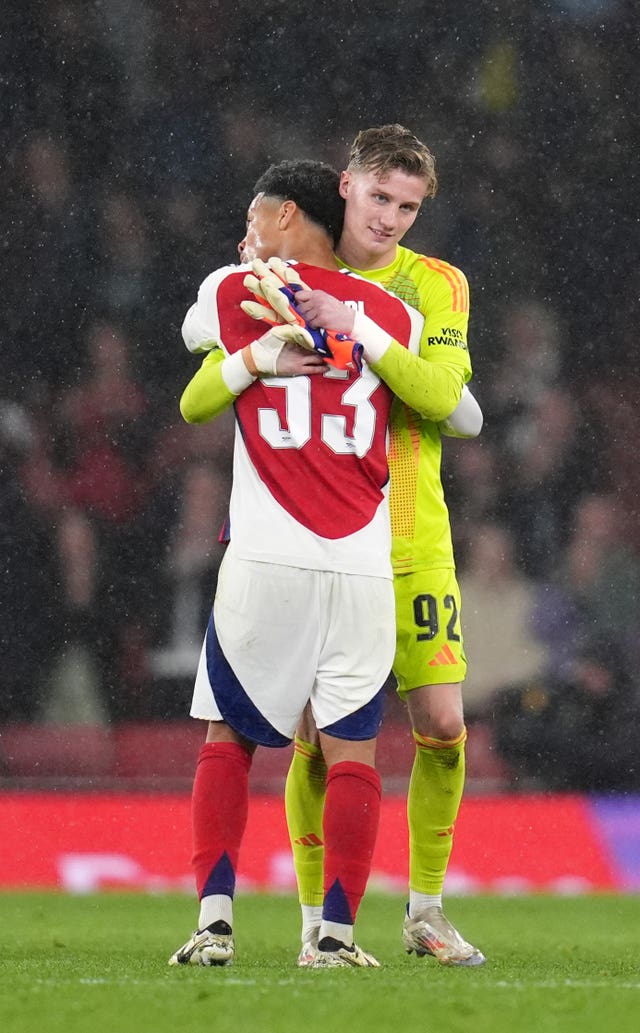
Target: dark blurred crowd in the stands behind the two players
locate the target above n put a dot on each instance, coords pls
(134, 136)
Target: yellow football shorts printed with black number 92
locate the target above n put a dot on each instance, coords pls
(429, 647)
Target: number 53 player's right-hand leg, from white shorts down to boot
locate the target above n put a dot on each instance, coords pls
(359, 645)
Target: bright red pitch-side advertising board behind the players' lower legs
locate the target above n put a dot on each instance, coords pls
(83, 843)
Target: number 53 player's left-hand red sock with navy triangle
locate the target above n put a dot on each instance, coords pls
(219, 808)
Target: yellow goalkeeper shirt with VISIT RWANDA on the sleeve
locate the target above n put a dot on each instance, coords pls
(420, 516)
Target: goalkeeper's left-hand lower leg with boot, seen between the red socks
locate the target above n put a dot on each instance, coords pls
(305, 794)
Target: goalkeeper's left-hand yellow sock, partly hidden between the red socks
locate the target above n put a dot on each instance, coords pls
(305, 793)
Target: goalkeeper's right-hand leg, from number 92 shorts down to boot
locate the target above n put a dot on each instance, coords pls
(430, 667)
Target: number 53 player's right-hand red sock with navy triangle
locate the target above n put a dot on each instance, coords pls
(351, 819)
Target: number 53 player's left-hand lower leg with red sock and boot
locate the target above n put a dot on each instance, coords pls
(220, 802)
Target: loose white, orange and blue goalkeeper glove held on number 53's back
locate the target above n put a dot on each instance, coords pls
(277, 284)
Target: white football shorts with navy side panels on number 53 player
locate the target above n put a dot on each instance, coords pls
(282, 636)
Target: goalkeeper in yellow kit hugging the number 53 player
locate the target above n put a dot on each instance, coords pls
(390, 175)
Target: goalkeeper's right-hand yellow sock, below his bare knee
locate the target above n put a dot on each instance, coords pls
(433, 804)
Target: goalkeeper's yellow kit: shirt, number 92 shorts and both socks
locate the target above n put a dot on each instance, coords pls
(429, 638)
